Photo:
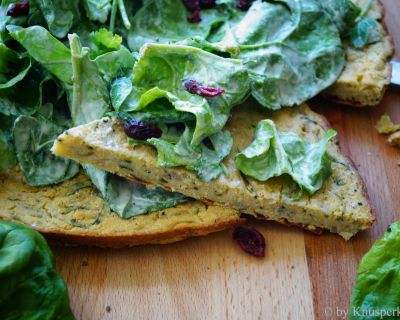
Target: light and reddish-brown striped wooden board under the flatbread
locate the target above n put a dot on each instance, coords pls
(303, 276)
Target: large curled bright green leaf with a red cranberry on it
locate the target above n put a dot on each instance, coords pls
(161, 71)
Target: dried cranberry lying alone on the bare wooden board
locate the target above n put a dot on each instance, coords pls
(250, 240)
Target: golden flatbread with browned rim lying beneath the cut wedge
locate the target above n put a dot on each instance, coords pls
(74, 213)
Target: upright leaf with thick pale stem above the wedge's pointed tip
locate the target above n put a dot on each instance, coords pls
(90, 100)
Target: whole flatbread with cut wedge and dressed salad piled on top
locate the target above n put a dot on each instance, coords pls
(176, 117)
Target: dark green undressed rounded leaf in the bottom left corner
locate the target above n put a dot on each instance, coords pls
(30, 286)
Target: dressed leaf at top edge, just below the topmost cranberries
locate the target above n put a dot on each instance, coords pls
(165, 21)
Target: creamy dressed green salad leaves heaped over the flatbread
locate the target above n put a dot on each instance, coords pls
(173, 71)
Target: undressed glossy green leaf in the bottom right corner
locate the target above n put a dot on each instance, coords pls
(378, 279)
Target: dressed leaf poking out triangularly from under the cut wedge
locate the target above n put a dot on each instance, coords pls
(129, 199)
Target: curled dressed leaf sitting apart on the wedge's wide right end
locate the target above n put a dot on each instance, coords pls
(273, 153)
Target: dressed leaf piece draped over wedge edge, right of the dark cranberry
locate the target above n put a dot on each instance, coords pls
(174, 149)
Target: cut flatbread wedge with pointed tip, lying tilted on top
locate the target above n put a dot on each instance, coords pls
(341, 206)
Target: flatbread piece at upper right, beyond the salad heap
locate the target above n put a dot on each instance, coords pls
(367, 73)
